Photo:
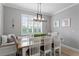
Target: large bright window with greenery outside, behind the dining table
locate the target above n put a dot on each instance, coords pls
(29, 26)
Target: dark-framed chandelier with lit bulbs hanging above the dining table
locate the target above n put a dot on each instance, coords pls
(39, 16)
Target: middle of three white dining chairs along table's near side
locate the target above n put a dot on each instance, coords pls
(47, 46)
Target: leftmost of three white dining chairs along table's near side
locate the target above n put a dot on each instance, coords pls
(35, 46)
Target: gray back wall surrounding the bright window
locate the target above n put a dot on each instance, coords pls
(12, 13)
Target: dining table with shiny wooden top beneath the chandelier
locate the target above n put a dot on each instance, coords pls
(25, 43)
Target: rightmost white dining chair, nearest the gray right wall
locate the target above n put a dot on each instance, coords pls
(57, 45)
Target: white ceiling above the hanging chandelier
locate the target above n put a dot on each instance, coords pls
(47, 8)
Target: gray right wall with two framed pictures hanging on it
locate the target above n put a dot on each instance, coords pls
(70, 35)
